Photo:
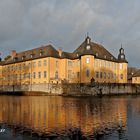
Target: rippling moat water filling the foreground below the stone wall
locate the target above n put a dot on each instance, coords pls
(67, 118)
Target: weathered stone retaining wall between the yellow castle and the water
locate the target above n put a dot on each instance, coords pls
(75, 89)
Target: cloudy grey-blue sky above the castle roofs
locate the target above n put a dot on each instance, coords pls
(27, 24)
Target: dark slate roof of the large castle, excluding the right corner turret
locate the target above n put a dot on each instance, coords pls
(49, 51)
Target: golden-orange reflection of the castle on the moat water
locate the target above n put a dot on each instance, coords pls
(59, 114)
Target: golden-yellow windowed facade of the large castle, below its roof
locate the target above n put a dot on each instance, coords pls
(55, 70)
